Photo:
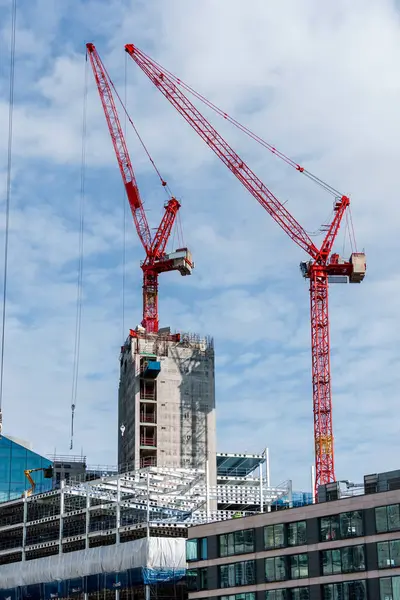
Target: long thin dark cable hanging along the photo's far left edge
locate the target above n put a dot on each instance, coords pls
(8, 198)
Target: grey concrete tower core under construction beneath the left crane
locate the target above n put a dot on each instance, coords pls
(166, 412)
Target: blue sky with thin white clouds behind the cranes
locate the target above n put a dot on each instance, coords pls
(324, 86)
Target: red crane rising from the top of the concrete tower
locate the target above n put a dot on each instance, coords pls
(156, 261)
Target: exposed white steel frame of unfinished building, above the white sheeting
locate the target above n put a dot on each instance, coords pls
(119, 508)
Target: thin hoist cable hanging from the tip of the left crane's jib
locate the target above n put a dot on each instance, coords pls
(79, 283)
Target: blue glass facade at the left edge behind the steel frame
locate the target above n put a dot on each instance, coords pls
(14, 460)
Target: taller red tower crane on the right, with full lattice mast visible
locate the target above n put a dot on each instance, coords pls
(322, 267)
